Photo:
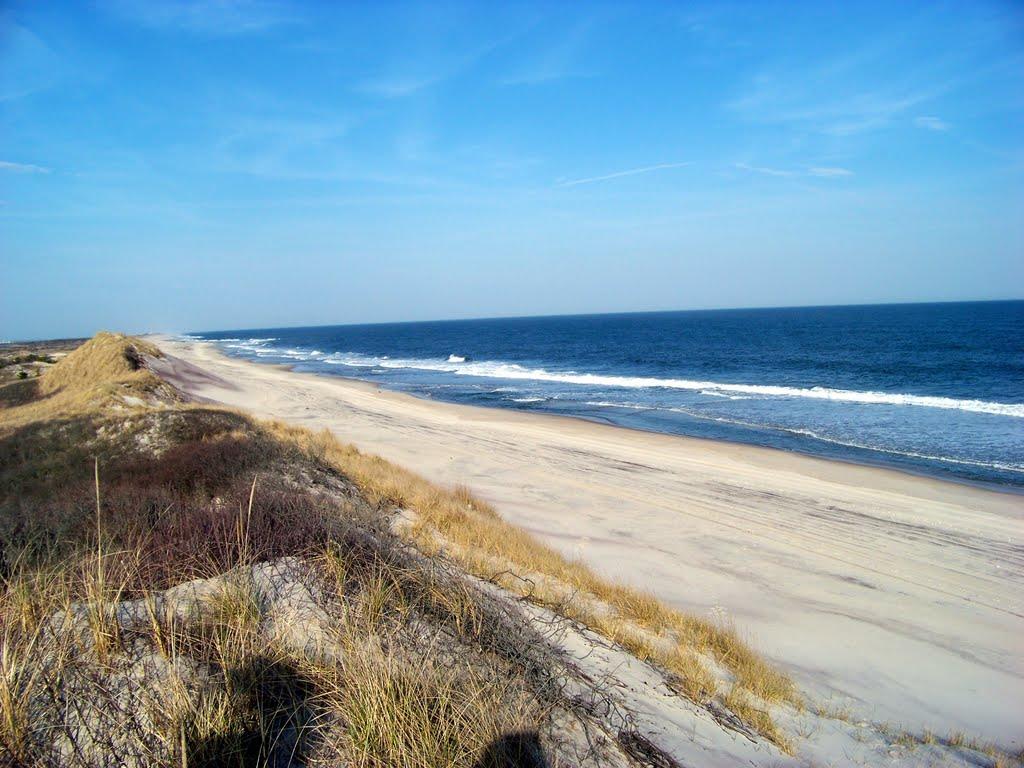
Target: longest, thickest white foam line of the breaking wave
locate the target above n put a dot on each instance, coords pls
(713, 389)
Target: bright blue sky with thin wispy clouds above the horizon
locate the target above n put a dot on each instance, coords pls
(209, 165)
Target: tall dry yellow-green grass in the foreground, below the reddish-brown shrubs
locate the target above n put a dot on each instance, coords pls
(380, 706)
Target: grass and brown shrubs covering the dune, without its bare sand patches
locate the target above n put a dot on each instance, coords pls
(178, 503)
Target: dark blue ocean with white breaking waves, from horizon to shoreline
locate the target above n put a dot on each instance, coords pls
(934, 389)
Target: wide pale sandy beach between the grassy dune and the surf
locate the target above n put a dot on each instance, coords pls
(900, 599)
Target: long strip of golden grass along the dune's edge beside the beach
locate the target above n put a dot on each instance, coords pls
(482, 542)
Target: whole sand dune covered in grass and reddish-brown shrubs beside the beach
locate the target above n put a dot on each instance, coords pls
(184, 585)
